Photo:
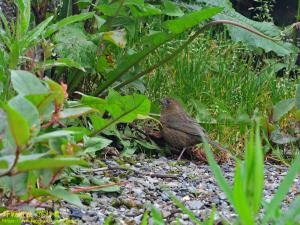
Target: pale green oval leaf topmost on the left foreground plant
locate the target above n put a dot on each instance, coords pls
(26, 83)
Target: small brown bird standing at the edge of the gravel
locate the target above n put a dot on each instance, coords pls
(179, 129)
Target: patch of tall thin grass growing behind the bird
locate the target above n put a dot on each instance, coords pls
(221, 84)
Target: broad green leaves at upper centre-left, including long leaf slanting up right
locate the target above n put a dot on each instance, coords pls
(105, 54)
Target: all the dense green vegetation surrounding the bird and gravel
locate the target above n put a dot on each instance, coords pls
(79, 76)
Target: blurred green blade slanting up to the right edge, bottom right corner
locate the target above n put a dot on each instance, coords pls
(282, 191)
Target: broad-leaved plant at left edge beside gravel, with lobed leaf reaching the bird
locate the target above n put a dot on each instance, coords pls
(40, 139)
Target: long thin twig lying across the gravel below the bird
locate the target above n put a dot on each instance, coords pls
(158, 175)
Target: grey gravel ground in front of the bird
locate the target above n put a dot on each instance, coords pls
(194, 185)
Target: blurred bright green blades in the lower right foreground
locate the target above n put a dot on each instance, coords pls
(246, 193)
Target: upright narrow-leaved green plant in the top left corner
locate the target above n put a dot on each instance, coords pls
(18, 42)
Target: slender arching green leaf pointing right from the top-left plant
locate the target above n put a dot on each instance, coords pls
(67, 21)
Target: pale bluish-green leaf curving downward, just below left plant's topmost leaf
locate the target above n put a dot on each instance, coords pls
(28, 111)
